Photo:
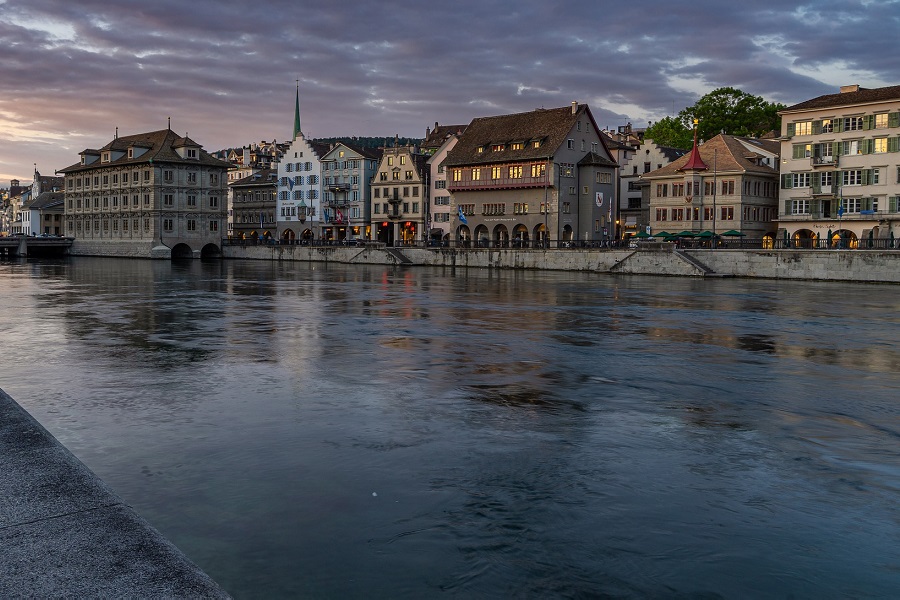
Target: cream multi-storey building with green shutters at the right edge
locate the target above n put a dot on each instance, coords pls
(840, 175)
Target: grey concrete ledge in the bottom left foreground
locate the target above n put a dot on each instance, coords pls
(64, 533)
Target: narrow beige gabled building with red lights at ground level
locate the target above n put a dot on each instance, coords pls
(400, 196)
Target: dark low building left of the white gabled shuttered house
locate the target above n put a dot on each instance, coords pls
(252, 206)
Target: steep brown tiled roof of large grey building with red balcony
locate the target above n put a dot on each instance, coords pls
(549, 126)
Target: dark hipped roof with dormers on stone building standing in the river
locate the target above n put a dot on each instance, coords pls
(160, 148)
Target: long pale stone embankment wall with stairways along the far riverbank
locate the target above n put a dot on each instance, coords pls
(881, 266)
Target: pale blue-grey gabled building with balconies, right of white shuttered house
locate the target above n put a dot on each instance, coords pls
(347, 172)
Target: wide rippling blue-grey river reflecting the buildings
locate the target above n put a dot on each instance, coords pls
(330, 431)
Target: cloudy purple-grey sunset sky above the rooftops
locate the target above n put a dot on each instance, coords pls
(226, 72)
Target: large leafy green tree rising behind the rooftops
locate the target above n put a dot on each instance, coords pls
(732, 111)
